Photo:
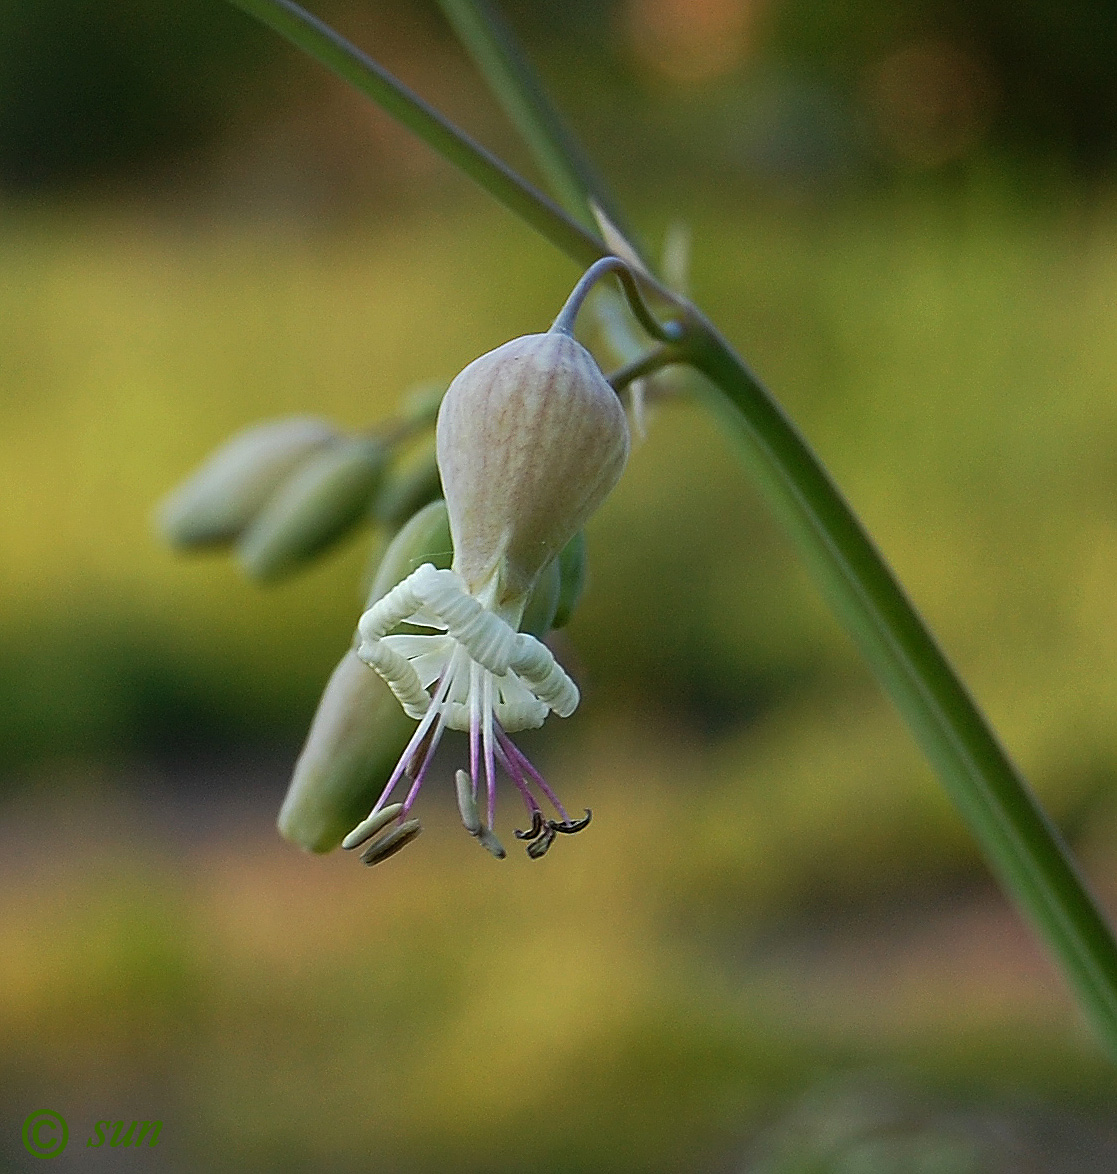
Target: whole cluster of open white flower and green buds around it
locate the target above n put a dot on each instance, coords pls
(529, 441)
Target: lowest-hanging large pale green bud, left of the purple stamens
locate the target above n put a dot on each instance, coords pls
(354, 743)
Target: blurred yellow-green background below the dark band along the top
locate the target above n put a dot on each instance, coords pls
(775, 899)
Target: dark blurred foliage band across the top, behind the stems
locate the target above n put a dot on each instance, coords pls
(799, 91)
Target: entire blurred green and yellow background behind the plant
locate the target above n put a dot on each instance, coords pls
(776, 950)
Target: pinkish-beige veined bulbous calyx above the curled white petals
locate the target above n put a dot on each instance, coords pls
(531, 438)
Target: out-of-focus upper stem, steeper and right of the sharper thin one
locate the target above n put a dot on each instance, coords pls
(492, 44)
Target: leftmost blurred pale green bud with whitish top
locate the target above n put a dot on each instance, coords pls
(220, 500)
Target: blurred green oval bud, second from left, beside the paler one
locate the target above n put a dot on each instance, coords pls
(324, 500)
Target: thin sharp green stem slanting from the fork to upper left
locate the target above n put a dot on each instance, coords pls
(346, 60)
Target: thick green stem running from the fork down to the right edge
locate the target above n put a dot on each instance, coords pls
(1021, 845)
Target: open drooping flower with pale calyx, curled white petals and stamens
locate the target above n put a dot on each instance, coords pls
(531, 440)
